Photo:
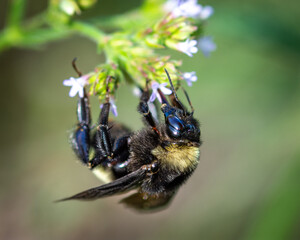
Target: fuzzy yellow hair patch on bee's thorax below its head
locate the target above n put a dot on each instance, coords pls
(180, 158)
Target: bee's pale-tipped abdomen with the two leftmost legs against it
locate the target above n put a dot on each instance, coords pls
(110, 144)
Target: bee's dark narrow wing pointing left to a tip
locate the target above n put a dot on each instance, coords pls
(118, 186)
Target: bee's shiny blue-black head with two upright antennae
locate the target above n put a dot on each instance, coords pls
(180, 123)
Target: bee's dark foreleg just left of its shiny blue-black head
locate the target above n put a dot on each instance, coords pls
(143, 108)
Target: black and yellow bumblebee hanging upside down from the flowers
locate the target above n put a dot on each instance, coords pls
(154, 162)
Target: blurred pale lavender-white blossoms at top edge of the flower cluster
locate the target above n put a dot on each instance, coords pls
(188, 8)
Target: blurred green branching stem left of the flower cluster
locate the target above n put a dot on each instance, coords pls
(33, 32)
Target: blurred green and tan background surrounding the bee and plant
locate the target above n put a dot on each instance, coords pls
(247, 98)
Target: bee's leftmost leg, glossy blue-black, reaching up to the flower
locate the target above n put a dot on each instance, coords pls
(81, 137)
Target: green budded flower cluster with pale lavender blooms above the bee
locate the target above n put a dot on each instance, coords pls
(131, 56)
